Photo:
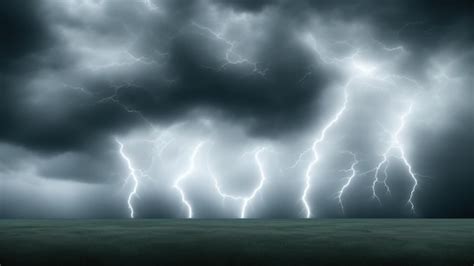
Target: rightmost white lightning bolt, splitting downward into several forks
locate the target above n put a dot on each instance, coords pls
(395, 144)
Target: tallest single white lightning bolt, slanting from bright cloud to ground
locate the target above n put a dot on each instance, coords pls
(314, 149)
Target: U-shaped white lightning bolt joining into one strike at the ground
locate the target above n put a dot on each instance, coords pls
(245, 199)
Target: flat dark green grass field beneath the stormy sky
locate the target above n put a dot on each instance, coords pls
(238, 242)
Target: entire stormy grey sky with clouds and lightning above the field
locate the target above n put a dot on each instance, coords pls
(281, 95)
